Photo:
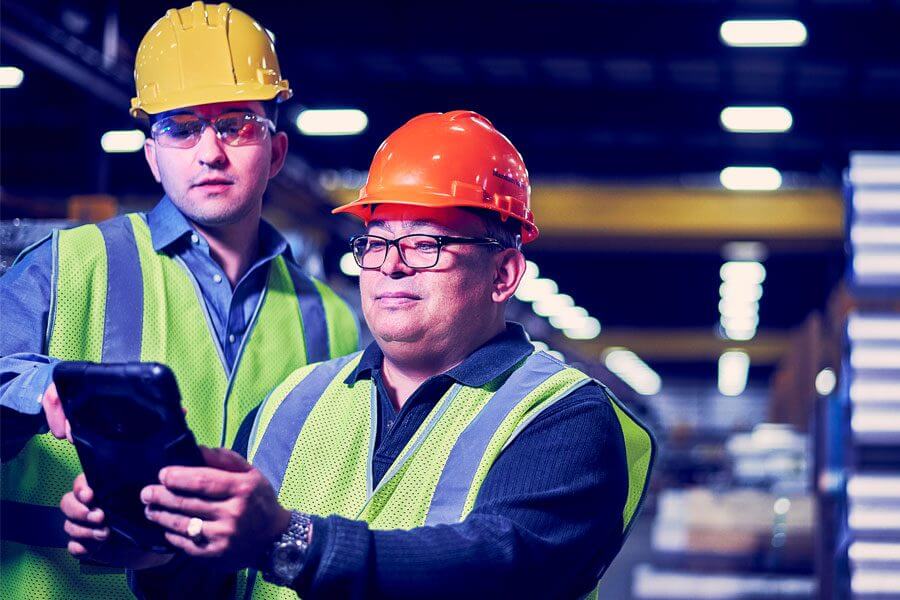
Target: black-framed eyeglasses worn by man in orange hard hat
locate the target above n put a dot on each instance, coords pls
(417, 250)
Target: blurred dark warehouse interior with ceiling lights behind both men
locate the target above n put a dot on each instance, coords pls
(717, 185)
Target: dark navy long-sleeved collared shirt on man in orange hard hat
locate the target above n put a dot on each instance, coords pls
(546, 523)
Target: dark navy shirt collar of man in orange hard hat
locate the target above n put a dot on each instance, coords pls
(497, 356)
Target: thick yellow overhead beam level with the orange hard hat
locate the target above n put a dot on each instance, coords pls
(596, 216)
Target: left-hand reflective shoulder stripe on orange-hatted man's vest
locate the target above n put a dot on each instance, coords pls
(280, 436)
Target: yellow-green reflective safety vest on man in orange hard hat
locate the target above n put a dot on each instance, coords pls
(314, 439)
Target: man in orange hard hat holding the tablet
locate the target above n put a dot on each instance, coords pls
(448, 459)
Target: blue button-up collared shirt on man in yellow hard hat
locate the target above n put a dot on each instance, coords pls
(25, 368)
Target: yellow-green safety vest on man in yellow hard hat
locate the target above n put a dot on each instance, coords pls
(116, 299)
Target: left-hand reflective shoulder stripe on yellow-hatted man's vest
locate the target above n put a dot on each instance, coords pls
(122, 327)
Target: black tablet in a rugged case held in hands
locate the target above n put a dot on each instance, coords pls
(127, 424)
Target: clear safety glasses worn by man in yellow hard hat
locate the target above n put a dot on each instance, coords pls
(235, 129)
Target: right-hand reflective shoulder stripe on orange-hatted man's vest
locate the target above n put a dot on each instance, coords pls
(459, 471)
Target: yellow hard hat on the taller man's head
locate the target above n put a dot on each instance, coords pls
(202, 54)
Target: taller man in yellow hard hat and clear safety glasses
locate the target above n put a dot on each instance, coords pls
(199, 283)
